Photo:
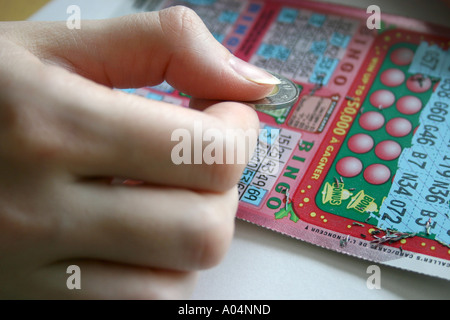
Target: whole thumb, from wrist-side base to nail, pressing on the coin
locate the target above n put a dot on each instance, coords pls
(148, 48)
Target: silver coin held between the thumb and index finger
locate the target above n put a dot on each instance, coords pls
(284, 95)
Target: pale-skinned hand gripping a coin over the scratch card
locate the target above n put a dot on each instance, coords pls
(64, 133)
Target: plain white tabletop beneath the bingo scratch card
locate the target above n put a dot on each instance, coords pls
(262, 264)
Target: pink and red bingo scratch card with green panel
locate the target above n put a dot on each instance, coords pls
(360, 164)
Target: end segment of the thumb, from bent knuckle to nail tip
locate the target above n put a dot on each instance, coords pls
(203, 68)
